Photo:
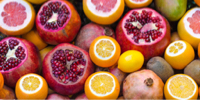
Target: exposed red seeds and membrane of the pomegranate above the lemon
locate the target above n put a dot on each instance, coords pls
(143, 27)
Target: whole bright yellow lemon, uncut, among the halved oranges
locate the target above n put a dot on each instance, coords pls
(130, 61)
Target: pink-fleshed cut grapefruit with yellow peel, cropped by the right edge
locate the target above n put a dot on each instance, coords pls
(188, 27)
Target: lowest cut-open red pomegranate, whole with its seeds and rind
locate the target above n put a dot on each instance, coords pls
(66, 68)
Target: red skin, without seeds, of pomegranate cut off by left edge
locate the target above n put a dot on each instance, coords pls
(30, 65)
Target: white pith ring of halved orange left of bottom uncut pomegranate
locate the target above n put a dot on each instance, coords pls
(113, 88)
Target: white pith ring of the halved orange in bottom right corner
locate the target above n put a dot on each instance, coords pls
(179, 97)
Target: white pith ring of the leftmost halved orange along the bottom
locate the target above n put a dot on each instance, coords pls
(30, 92)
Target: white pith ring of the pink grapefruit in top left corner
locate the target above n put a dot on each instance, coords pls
(26, 21)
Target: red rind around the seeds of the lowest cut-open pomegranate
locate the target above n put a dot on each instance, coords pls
(69, 88)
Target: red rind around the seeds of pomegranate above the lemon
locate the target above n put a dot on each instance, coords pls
(148, 50)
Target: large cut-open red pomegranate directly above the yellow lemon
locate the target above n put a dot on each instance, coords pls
(144, 30)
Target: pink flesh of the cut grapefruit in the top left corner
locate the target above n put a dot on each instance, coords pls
(14, 14)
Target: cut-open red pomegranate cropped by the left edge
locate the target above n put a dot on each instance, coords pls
(17, 58)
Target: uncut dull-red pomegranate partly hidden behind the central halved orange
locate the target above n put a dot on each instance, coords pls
(89, 32)
